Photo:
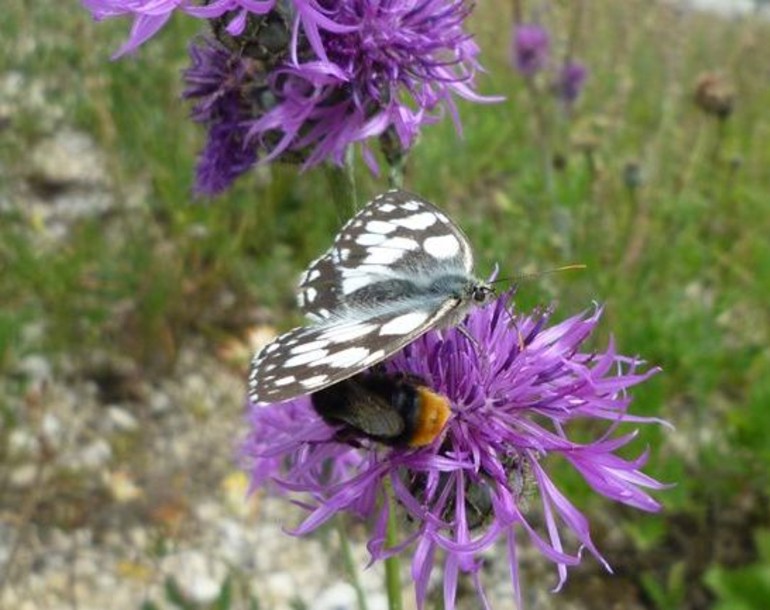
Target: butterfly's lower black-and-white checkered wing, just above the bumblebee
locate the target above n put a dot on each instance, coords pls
(310, 358)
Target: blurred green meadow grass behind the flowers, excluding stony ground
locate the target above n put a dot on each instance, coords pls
(681, 263)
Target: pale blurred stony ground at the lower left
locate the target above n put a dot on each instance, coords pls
(136, 503)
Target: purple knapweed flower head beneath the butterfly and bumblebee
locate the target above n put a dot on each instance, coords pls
(516, 385)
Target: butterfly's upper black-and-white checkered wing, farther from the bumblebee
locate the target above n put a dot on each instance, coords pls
(396, 236)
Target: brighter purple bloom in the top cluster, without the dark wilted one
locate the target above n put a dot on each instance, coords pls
(396, 70)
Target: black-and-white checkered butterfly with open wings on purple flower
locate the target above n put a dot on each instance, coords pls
(397, 269)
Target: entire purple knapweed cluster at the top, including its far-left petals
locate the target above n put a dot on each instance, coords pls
(349, 71)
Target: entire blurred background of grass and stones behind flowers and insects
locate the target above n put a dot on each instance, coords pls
(129, 310)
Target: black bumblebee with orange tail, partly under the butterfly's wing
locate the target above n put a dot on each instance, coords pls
(394, 409)
